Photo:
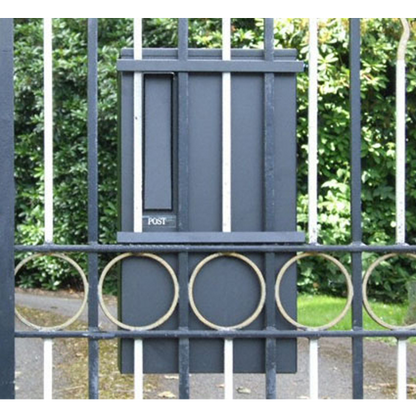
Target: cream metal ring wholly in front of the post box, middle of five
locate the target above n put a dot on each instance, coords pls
(259, 276)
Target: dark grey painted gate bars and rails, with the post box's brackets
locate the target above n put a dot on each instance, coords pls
(270, 244)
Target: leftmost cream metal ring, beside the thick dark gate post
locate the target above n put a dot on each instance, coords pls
(68, 323)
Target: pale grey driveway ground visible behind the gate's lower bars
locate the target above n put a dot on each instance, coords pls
(335, 368)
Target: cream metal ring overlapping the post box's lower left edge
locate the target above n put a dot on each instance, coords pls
(162, 320)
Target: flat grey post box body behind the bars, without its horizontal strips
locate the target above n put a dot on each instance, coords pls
(227, 290)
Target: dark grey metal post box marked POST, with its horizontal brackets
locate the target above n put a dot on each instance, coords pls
(182, 194)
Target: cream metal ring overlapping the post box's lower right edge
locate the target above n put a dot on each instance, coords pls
(350, 288)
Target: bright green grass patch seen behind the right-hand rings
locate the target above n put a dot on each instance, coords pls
(315, 311)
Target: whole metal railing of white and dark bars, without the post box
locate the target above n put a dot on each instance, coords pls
(356, 299)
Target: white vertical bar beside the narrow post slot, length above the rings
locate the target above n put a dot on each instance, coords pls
(138, 127)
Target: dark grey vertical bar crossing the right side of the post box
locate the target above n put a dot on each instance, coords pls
(270, 208)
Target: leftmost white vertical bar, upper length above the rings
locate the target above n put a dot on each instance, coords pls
(48, 135)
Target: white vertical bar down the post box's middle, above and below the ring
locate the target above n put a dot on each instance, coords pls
(226, 188)
